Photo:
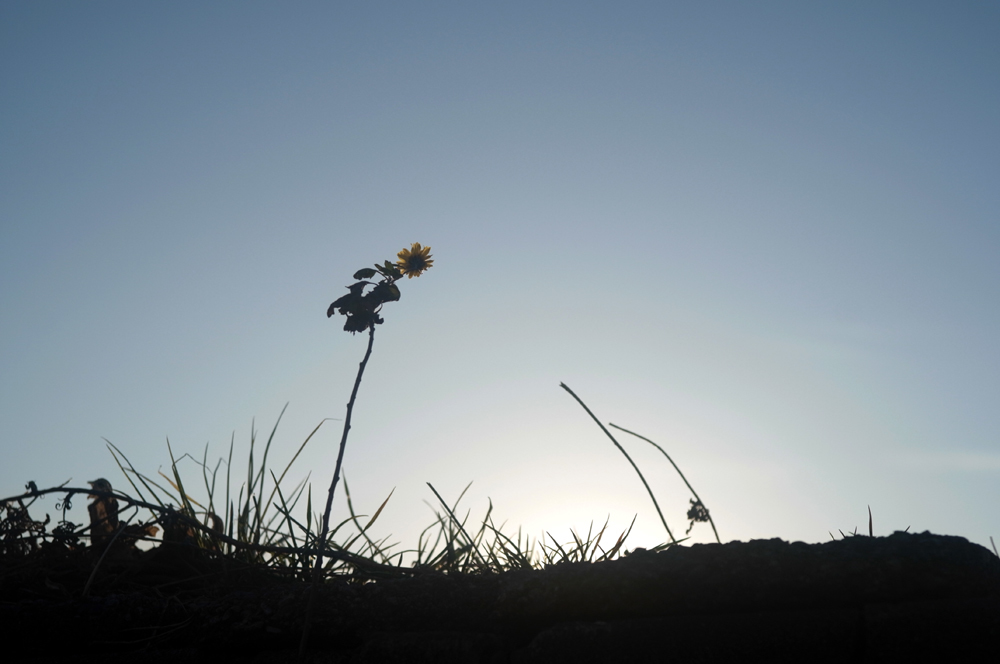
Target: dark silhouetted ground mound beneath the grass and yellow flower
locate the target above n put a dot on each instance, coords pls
(906, 597)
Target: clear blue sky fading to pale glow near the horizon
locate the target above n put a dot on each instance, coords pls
(763, 235)
